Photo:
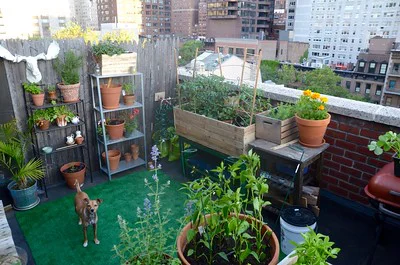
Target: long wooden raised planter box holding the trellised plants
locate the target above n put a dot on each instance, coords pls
(217, 135)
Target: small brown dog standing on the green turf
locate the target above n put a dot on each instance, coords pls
(87, 212)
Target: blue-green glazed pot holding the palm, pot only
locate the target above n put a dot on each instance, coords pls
(24, 199)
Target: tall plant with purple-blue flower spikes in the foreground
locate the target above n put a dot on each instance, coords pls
(146, 242)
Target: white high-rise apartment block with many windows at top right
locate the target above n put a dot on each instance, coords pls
(338, 30)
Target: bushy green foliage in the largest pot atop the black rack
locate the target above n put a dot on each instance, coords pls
(69, 69)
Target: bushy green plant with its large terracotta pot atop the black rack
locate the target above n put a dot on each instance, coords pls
(69, 72)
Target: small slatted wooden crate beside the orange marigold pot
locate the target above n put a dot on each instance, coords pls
(274, 130)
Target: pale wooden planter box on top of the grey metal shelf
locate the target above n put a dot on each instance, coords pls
(118, 64)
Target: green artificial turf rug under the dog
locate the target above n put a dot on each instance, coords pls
(55, 238)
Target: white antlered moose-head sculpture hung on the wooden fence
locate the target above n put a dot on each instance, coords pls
(32, 70)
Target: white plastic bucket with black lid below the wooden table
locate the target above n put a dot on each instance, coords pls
(294, 221)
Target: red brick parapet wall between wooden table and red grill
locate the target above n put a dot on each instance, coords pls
(348, 164)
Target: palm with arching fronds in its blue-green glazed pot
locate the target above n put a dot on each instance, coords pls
(13, 147)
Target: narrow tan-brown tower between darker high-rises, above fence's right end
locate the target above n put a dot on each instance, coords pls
(185, 18)
